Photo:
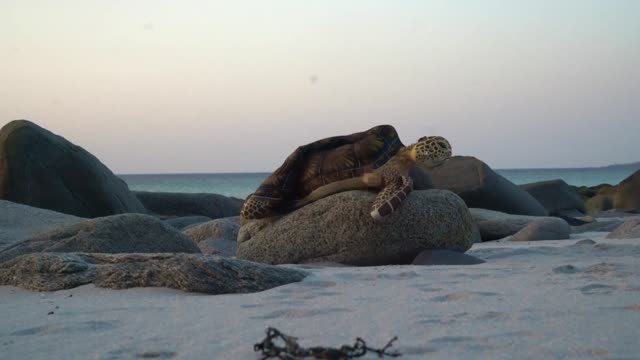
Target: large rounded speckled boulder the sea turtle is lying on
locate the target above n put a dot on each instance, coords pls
(339, 229)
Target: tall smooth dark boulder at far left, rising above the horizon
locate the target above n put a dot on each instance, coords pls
(41, 169)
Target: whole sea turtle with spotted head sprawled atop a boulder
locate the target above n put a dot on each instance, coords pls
(373, 159)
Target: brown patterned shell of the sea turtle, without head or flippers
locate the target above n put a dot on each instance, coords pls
(332, 159)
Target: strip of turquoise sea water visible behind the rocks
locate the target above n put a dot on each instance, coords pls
(242, 184)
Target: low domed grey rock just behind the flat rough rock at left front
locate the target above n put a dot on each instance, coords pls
(126, 233)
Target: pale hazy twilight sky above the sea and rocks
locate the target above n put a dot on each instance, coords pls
(155, 86)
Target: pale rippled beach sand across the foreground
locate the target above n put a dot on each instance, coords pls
(538, 300)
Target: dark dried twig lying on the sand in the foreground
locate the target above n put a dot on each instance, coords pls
(288, 349)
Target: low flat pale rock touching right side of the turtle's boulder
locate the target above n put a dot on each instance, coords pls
(494, 225)
